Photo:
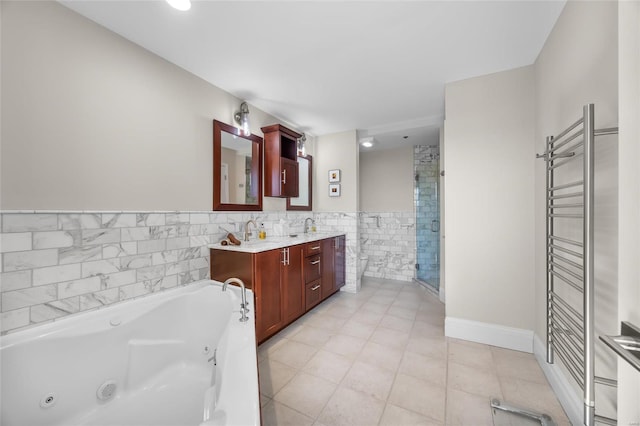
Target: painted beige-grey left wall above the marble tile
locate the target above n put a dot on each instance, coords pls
(93, 121)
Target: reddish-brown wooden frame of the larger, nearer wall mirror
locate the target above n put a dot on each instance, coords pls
(256, 167)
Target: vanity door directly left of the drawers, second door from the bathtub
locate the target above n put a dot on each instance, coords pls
(292, 285)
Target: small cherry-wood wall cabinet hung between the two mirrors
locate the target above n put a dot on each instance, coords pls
(280, 161)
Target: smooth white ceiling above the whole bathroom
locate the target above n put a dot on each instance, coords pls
(328, 66)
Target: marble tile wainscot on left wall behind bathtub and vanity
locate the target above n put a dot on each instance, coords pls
(59, 263)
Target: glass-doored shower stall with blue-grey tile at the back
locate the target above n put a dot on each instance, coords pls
(426, 159)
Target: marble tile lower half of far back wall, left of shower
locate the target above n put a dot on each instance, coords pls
(388, 238)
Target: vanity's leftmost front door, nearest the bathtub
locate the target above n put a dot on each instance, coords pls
(268, 293)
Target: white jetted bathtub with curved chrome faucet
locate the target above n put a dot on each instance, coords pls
(144, 362)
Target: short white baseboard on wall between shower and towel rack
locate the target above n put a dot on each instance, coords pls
(517, 339)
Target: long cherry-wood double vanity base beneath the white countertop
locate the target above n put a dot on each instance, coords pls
(287, 281)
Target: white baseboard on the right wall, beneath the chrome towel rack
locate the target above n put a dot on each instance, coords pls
(571, 402)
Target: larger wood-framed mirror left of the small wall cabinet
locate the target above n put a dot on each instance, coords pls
(237, 169)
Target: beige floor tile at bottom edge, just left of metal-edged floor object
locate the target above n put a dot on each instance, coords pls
(465, 409)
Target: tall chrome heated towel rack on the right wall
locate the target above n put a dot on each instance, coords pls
(570, 256)
